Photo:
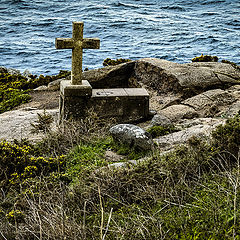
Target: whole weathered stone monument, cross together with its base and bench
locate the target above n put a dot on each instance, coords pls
(77, 95)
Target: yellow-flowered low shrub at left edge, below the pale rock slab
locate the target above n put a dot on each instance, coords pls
(18, 163)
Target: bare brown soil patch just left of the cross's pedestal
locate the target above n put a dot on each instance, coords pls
(42, 100)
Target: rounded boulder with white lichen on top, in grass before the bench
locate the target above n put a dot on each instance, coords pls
(132, 135)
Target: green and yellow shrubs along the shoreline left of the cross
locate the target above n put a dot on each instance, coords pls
(14, 88)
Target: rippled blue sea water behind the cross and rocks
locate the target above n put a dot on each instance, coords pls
(175, 30)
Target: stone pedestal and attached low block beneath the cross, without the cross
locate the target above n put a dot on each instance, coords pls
(123, 104)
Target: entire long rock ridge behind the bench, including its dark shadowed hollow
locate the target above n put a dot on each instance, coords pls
(162, 76)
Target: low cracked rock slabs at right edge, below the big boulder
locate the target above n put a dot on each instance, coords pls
(211, 103)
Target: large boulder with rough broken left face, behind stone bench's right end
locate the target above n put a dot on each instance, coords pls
(165, 76)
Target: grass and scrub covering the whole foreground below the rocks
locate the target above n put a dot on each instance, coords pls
(61, 187)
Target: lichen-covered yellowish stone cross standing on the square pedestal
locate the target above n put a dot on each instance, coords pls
(77, 43)
